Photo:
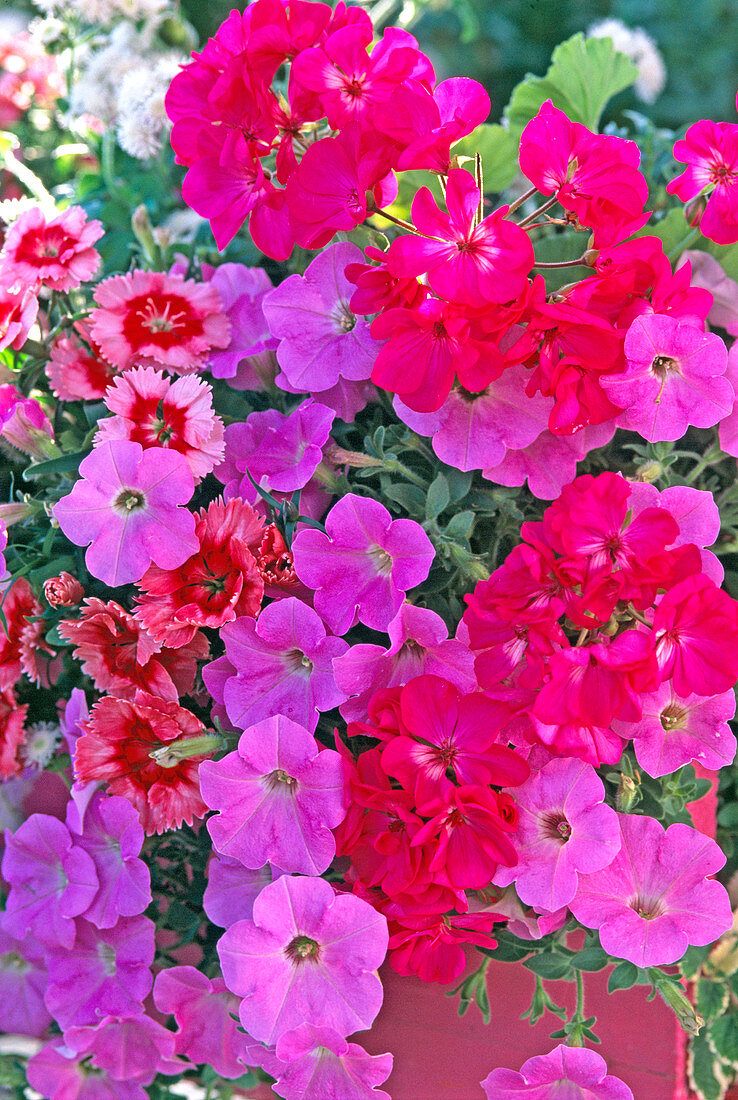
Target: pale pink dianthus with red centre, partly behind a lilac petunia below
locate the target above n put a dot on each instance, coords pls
(153, 411)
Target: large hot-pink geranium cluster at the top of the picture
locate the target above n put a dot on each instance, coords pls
(254, 155)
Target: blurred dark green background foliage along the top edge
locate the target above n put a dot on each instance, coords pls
(499, 41)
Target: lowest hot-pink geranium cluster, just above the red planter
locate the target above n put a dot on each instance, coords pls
(426, 822)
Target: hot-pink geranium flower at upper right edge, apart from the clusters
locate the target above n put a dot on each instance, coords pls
(710, 151)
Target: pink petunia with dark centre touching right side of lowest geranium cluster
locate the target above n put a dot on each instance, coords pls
(564, 829)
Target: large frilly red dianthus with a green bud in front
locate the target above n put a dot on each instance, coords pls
(116, 749)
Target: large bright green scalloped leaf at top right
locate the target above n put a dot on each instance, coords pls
(583, 76)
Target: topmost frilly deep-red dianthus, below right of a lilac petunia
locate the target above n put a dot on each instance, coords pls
(216, 586)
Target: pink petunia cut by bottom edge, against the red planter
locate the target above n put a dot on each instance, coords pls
(567, 1072)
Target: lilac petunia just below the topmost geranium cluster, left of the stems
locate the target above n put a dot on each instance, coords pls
(321, 339)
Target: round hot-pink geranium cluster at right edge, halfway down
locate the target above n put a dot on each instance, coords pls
(607, 601)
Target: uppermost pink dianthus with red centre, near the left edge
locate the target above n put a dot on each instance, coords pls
(56, 252)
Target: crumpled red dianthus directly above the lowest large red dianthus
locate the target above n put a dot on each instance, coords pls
(122, 657)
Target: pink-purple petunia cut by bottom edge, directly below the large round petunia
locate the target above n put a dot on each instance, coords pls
(317, 1062)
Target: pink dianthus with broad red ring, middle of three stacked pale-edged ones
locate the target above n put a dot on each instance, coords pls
(155, 320)
